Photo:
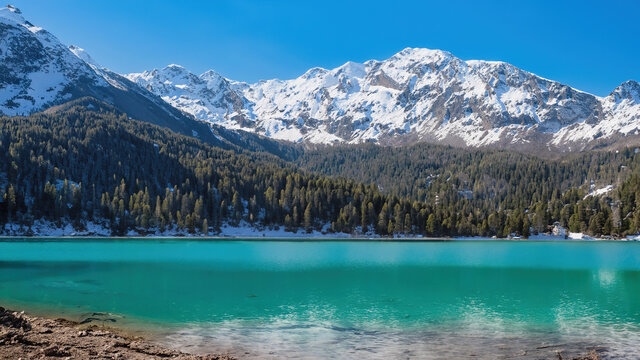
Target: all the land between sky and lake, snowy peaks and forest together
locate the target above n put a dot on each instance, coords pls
(422, 143)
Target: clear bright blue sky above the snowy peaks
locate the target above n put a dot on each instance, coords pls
(591, 45)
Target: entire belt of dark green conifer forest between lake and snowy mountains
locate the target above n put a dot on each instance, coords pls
(79, 165)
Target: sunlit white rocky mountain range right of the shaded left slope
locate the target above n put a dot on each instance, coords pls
(416, 95)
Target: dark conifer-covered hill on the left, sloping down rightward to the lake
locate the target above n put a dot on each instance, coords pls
(78, 165)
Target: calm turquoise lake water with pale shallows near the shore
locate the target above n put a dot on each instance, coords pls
(342, 299)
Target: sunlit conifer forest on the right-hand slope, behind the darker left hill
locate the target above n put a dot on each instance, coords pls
(511, 191)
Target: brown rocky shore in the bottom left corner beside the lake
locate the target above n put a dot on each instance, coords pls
(30, 337)
